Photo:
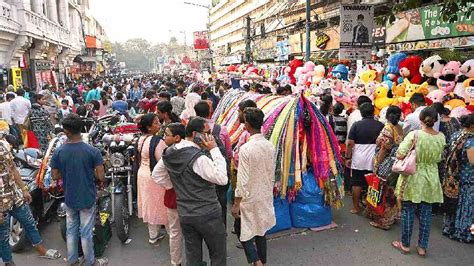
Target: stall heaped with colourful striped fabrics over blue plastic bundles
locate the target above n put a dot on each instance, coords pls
(309, 166)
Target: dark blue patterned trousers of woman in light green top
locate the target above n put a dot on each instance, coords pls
(408, 218)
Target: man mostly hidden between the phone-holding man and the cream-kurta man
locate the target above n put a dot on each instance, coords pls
(223, 143)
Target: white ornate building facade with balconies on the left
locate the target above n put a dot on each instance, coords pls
(39, 40)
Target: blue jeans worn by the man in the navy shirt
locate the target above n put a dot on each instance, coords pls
(80, 222)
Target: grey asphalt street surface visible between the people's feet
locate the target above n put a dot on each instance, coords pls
(353, 242)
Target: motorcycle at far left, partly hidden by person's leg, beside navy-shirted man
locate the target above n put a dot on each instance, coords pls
(43, 204)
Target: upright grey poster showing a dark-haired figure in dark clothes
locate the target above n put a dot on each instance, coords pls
(357, 23)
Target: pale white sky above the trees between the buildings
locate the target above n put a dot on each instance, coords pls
(153, 20)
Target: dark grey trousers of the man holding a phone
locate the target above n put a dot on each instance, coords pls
(209, 228)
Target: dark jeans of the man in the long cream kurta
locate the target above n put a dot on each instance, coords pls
(256, 248)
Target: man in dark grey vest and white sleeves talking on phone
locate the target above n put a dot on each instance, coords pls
(193, 167)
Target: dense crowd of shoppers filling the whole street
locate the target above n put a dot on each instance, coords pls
(187, 163)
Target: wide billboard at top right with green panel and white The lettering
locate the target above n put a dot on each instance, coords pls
(425, 24)
